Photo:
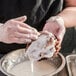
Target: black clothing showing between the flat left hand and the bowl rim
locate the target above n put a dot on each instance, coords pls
(5, 48)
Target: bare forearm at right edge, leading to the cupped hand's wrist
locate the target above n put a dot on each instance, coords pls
(69, 16)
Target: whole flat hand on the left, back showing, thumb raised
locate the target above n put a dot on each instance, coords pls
(15, 31)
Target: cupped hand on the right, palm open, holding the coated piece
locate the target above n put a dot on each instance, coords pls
(56, 26)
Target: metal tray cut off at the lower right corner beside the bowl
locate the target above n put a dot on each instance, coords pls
(71, 64)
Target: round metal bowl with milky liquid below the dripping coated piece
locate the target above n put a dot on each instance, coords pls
(17, 59)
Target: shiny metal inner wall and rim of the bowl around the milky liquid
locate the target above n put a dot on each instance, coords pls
(17, 57)
